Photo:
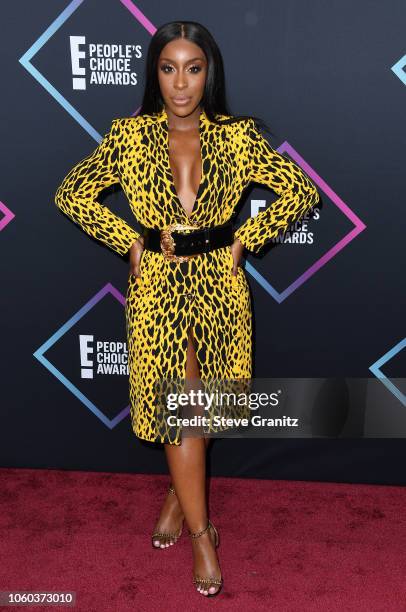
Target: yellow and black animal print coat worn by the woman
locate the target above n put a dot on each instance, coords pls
(200, 293)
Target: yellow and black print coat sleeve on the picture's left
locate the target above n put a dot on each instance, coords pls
(76, 195)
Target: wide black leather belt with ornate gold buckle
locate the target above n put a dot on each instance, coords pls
(177, 245)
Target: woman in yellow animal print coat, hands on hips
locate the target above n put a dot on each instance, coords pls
(183, 163)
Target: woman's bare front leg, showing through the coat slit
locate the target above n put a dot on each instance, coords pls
(187, 466)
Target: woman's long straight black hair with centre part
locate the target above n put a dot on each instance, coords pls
(214, 96)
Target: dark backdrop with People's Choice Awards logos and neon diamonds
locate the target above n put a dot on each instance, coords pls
(328, 298)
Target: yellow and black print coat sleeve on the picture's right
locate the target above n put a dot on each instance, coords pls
(297, 193)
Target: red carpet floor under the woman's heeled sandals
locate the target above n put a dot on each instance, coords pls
(284, 546)
